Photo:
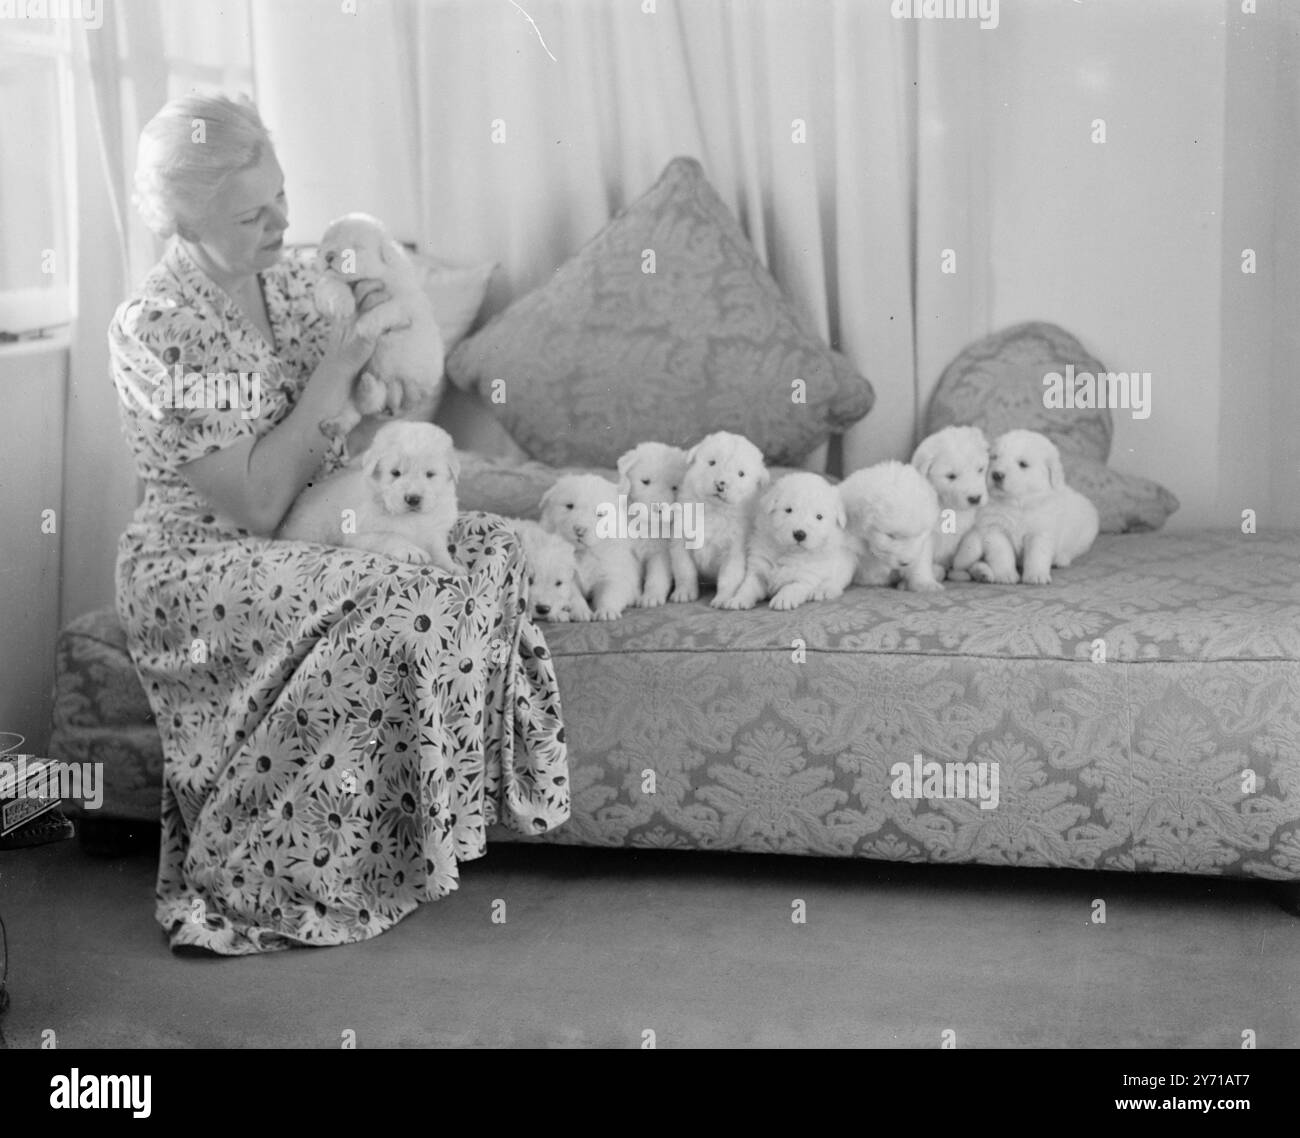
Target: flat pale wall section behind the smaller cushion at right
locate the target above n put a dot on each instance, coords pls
(1120, 243)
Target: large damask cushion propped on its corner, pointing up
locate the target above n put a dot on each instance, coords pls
(608, 354)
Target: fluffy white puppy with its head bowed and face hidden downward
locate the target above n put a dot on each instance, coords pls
(892, 513)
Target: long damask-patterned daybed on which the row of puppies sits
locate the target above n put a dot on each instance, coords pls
(1180, 751)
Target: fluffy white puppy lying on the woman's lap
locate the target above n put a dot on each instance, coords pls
(398, 499)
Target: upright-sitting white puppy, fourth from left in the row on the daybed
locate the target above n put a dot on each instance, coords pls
(725, 477)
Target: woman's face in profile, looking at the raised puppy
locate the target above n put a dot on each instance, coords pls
(245, 227)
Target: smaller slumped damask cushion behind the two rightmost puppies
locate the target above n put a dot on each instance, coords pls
(998, 384)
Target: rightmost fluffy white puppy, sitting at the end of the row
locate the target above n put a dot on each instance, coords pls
(1033, 521)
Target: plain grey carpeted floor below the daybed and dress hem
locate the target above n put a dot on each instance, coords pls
(600, 947)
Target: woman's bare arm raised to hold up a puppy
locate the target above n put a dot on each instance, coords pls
(255, 482)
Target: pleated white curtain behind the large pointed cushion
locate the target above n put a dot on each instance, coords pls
(595, 99)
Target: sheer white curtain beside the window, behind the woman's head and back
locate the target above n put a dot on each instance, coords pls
(146, 53)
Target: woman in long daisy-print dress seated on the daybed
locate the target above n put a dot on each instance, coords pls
(339, 728)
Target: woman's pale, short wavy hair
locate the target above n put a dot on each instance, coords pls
(187, 152)
